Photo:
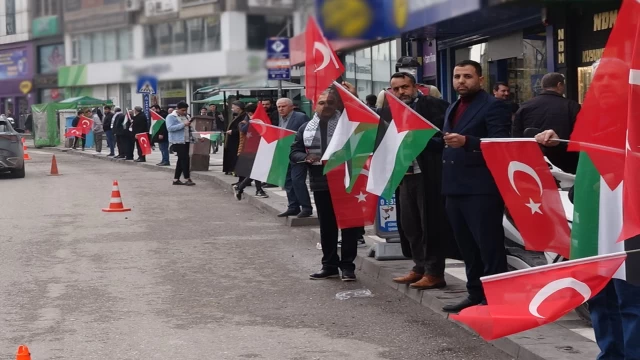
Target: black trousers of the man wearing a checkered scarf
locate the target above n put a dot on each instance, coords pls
(329, 236)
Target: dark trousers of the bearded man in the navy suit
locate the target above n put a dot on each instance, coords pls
(477, 225)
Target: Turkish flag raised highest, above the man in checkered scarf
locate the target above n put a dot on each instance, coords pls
(322, 65)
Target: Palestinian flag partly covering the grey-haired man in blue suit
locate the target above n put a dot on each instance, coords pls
(265, 156)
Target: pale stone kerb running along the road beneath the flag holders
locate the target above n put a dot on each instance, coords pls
(549, 342)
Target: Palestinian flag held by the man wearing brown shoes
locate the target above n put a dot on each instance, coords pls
(405, 138)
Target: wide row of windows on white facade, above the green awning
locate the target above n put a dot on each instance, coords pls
(183, 36)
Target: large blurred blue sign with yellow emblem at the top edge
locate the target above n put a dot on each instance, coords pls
(373, 19)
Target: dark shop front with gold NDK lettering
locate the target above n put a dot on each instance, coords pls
(580, 34)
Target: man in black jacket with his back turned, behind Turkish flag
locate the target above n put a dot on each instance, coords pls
(551, 111)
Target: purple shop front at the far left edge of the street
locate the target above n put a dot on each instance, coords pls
(16, 80)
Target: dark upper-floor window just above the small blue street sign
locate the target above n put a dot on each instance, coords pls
(262, 27)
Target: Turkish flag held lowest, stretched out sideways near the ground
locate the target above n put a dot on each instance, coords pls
(525, 299)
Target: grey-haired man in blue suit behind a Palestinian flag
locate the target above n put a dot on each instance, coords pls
(296, 180)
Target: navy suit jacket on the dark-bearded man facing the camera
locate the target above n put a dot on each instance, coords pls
(464, 171)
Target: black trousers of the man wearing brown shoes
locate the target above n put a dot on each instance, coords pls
(426, 253)
